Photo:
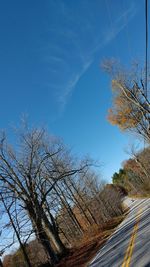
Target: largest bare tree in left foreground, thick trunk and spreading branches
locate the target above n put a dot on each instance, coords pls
(32, 173)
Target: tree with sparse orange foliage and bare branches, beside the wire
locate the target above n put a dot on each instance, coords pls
(131, 106)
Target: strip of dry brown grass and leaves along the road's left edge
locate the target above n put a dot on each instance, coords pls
(83, 253)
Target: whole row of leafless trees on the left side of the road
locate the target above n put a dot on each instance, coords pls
(48, 195)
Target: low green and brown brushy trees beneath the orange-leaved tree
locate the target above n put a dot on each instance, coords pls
(135, 174)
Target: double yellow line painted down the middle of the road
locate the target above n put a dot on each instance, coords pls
(129, 251)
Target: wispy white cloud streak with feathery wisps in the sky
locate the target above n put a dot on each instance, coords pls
(74, 44)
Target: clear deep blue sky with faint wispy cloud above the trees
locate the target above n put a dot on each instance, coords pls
(50, 54)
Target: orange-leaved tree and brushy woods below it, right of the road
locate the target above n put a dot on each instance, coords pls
(130, 111)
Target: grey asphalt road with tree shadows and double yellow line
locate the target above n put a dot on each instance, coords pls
(129, 246)
